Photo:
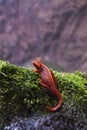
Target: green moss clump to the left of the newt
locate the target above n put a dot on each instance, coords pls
(20, 91)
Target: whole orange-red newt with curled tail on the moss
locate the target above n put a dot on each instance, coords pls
(48, 81)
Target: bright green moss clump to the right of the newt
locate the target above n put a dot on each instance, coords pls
(74, 87)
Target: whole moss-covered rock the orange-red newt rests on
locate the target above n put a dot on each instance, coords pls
(22, 96)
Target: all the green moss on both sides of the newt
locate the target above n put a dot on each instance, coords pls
(21, 92)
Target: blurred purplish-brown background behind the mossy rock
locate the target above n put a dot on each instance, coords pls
(55, 30)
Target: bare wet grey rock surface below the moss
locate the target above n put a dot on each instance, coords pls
(49, 122)
